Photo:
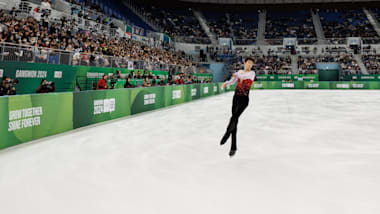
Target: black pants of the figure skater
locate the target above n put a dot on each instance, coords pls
(239, 104)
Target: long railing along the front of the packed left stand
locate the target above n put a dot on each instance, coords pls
(31, 54)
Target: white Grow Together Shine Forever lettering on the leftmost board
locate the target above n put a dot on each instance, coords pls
(24, 118)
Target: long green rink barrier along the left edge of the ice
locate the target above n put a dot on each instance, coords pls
(30, 117)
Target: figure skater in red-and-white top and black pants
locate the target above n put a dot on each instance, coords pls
(244, 79)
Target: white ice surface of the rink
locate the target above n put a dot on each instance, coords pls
(299, 152)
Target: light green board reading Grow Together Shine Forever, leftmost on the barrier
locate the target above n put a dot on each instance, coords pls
(29, 117)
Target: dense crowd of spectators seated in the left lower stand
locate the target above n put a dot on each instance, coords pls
(89, 48)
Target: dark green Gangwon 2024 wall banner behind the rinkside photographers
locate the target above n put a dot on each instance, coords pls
(65, 77)
